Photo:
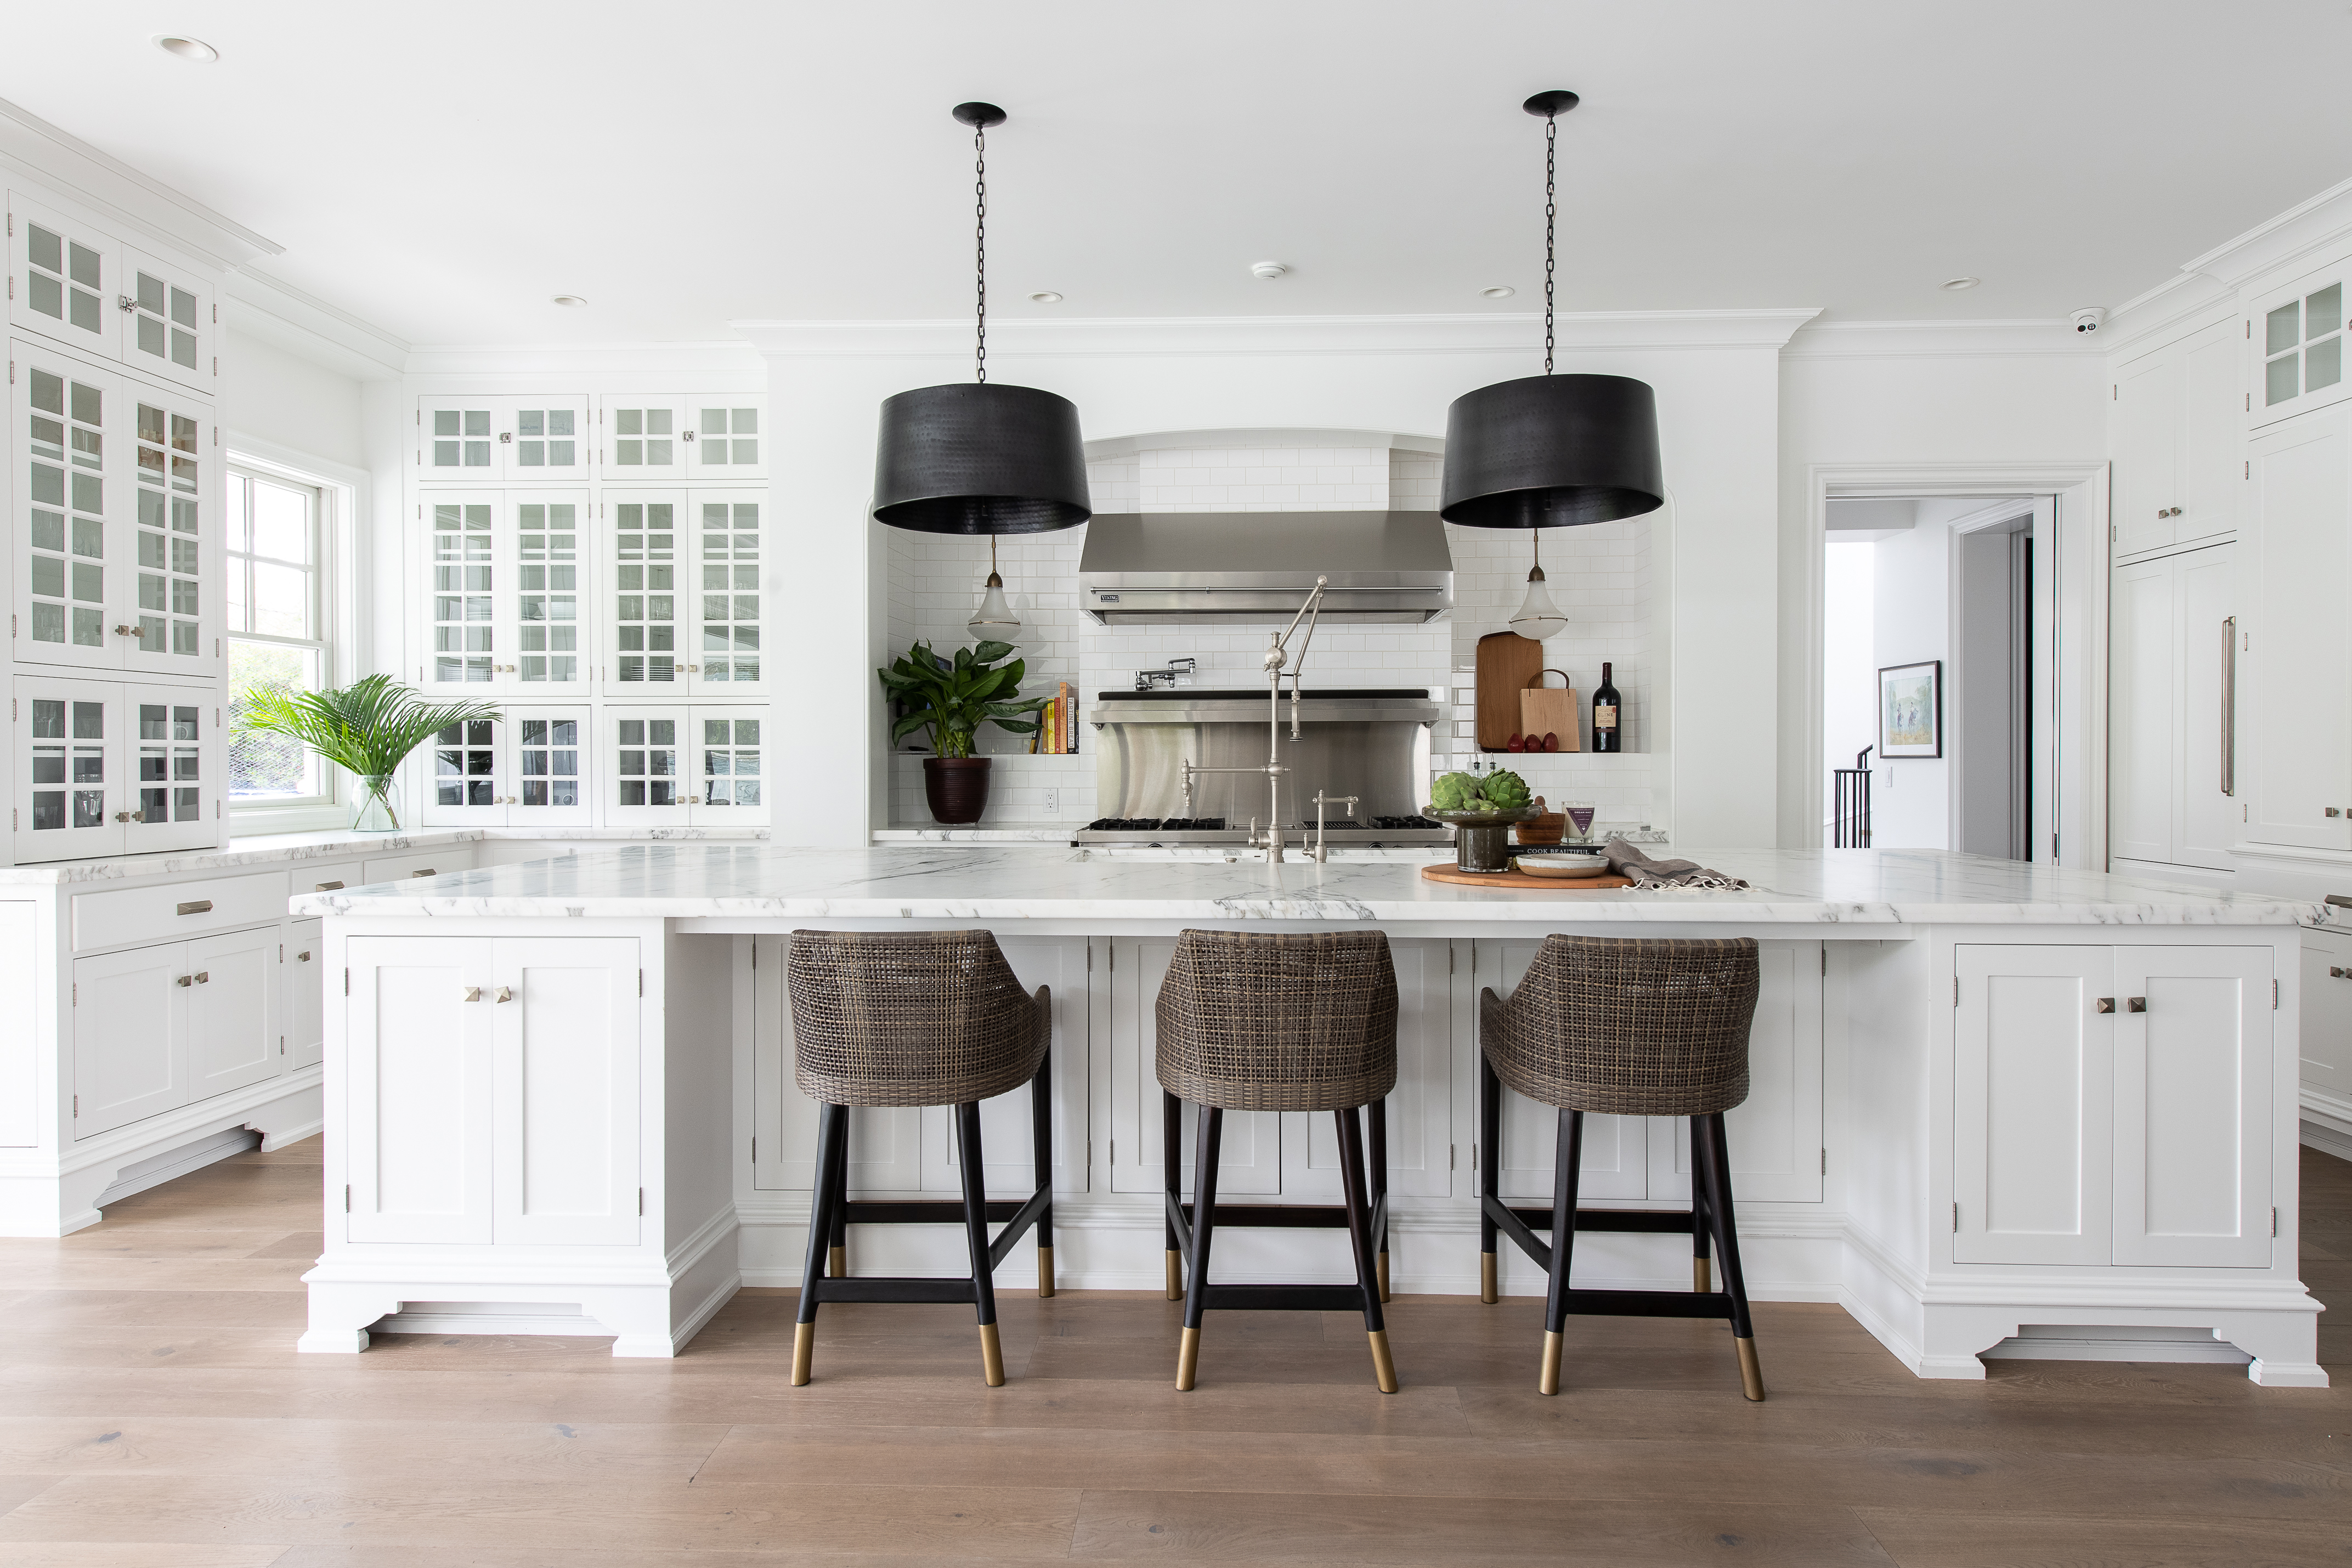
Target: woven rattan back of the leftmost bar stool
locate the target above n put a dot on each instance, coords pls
(911, 1019)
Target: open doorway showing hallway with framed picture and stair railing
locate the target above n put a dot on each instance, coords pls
(1939, 622)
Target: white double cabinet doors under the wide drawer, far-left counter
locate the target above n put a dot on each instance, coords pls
(175, 1024)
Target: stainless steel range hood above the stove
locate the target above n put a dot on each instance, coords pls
(1243, 568)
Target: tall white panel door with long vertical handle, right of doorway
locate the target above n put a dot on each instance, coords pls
(2172, 711)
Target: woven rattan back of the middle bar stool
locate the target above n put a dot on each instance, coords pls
(1255, 1021)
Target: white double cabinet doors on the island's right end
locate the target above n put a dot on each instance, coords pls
(2113, 1106)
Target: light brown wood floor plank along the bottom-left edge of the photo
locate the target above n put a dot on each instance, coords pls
(608, 1515)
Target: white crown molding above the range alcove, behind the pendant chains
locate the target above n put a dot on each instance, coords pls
(1281, 335)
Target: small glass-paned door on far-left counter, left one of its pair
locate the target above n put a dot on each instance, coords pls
(69, 786)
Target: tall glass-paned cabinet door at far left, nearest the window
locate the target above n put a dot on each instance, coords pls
(178, 556)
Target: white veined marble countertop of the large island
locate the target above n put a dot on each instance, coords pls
(1815, 887)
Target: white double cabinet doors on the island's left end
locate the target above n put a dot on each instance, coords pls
(495, 1092)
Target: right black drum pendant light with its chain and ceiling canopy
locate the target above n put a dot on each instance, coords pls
(1551, 453)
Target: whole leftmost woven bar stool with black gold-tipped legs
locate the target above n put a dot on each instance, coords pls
(918, 1019)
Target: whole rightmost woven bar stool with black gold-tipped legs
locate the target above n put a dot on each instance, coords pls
(1629, 1028)
